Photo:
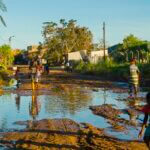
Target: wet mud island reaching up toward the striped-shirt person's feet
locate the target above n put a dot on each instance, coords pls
(113, 115)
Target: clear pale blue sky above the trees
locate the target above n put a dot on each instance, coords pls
(24, 19)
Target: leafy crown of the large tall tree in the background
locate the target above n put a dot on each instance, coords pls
(63, 38)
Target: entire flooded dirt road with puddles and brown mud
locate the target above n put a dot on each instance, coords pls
(76, 97)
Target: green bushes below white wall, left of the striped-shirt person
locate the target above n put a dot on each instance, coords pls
(105, 69)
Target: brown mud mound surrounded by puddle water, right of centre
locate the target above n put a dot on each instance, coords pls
(112, 115)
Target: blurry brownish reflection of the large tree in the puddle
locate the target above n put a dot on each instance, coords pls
(68, 99)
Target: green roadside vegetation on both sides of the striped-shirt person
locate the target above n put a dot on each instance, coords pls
(111, 70)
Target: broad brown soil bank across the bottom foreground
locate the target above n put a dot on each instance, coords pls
(65, 134)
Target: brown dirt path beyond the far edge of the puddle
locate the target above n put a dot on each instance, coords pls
(61, 77)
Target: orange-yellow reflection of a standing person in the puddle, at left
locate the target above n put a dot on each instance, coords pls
(34, 106)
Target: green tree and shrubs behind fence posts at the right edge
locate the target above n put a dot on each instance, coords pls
(131, 47)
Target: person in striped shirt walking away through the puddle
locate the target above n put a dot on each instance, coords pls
(134, 79)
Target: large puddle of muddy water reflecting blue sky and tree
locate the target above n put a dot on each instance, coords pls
(64, 101)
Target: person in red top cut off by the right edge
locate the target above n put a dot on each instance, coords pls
(146, 111)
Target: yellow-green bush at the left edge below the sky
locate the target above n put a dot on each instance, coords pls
(6, 56)
